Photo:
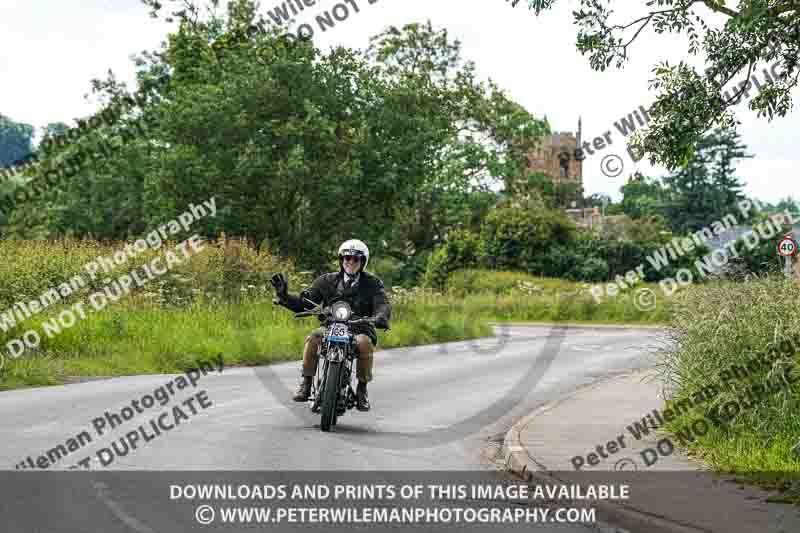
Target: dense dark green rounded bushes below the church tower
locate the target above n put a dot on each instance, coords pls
(543, 242)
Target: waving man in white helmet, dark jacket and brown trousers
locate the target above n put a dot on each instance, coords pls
(364, 293)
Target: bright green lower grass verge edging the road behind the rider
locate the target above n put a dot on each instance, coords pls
(143, 336)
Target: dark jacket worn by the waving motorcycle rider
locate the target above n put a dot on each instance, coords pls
(366, 298)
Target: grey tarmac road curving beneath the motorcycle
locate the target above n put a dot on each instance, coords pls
(434, 408)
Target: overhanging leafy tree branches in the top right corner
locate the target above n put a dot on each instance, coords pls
(691, 103)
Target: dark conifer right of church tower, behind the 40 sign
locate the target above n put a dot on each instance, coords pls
(706, 189)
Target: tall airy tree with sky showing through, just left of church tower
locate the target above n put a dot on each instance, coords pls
(482, 136)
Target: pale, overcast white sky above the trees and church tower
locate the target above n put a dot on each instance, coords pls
(53, 48)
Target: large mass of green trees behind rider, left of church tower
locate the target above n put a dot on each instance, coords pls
(291, 139)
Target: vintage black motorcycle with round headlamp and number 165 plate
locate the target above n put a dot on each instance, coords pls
(332, 392)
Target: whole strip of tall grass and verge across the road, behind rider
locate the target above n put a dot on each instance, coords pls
(219, 301)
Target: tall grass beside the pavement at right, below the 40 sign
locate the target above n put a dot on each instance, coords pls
(720, 325)
